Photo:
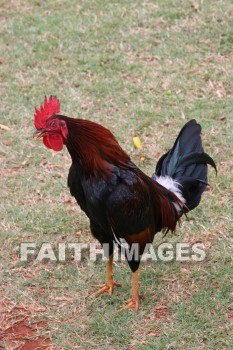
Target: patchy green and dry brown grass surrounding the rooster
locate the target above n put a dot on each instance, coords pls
(141, 69)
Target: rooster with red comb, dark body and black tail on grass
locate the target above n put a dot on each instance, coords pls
(123, 204)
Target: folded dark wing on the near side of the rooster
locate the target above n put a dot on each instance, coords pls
(129, 210)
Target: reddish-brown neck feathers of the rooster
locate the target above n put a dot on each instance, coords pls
(94, 147)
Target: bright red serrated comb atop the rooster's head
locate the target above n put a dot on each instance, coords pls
(51, 106)
